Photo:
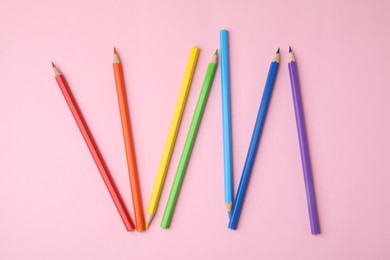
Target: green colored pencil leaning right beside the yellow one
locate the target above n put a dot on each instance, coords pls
(189, 144)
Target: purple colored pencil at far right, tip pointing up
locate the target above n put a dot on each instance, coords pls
(304, 147)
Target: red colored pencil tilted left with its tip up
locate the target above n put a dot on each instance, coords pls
(97, 157)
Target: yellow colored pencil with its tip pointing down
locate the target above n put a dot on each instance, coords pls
(169, 144)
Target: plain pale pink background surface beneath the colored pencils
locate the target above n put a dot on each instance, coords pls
(53, 203)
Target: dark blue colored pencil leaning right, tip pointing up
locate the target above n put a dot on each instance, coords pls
(250, 158)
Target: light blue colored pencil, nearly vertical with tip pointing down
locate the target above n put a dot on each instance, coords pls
(226, 121)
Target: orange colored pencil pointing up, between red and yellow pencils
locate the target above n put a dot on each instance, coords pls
(129, 143)
